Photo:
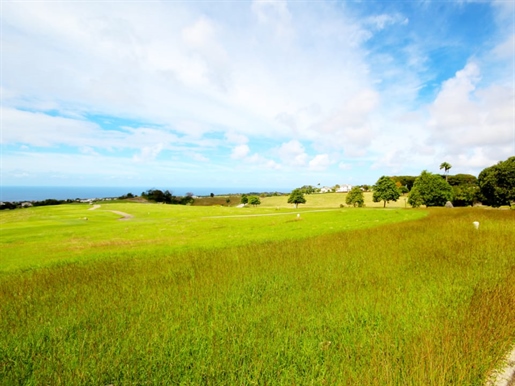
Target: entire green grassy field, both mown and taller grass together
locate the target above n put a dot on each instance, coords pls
(223, 295)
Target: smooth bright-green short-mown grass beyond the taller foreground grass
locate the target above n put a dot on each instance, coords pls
(38, 237)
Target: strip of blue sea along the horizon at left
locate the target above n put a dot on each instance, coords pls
(40, 193)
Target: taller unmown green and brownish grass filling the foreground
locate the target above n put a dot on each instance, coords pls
(427, 302)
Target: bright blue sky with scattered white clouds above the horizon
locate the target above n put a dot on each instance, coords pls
(271, 94)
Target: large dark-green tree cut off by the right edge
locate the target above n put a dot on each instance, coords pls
(497, 183)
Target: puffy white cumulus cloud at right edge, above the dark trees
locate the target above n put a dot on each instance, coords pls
(465, 119)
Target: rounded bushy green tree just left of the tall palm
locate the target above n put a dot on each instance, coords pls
(433, 190)
